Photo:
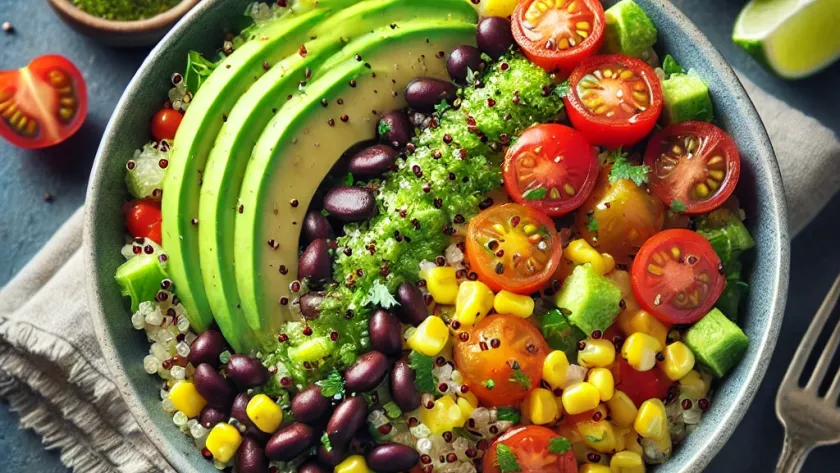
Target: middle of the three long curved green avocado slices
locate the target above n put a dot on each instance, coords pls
(227, 161)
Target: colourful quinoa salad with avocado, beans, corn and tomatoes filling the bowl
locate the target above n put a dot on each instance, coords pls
(446, 236)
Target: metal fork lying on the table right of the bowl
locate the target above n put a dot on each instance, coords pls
(810, 421)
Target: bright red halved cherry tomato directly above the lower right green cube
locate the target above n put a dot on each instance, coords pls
(677, 276)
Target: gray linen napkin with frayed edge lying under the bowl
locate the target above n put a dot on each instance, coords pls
(53, 373)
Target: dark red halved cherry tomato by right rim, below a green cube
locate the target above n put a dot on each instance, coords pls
(695, 163)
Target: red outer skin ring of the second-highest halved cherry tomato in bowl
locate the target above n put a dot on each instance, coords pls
(614, 132)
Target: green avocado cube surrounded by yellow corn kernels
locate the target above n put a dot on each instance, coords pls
(589, 300)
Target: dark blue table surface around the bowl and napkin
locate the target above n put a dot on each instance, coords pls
(28, 220)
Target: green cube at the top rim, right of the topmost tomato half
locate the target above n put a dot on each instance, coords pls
(629, 30)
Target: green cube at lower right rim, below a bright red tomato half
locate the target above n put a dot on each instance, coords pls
(717, 342)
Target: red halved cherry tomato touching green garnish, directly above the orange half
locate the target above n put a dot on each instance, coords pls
(551, 168)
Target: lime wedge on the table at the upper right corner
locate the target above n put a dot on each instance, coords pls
(794, 38)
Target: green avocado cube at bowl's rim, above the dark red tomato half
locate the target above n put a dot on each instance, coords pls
(686, 98)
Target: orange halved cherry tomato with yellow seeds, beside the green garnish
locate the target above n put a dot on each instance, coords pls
(513, 247)
